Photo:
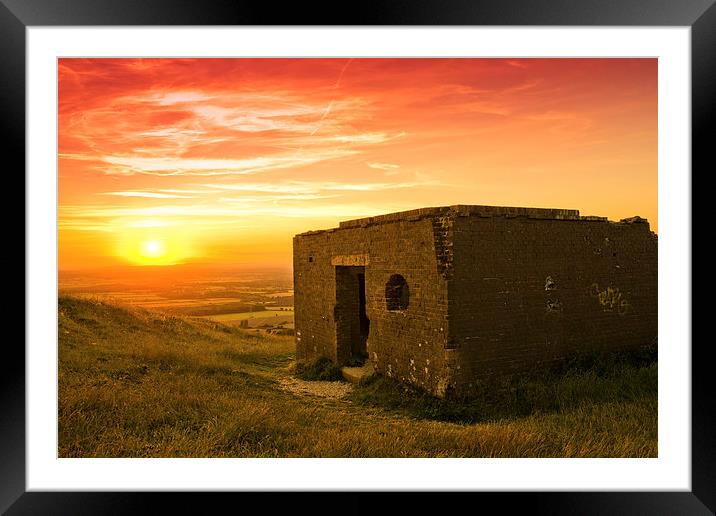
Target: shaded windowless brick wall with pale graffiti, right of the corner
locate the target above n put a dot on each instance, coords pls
(529, 291)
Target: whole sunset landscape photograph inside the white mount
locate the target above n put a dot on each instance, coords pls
(357, 257)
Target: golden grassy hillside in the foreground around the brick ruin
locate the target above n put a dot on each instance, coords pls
(133, 383)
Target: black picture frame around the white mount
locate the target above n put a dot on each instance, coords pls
(699, 15)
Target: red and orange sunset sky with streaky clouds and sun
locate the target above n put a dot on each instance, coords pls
(222, 161)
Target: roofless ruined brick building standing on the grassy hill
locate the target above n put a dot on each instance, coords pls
(441, 297)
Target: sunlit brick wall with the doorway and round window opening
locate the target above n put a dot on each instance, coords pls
(404, 344)
